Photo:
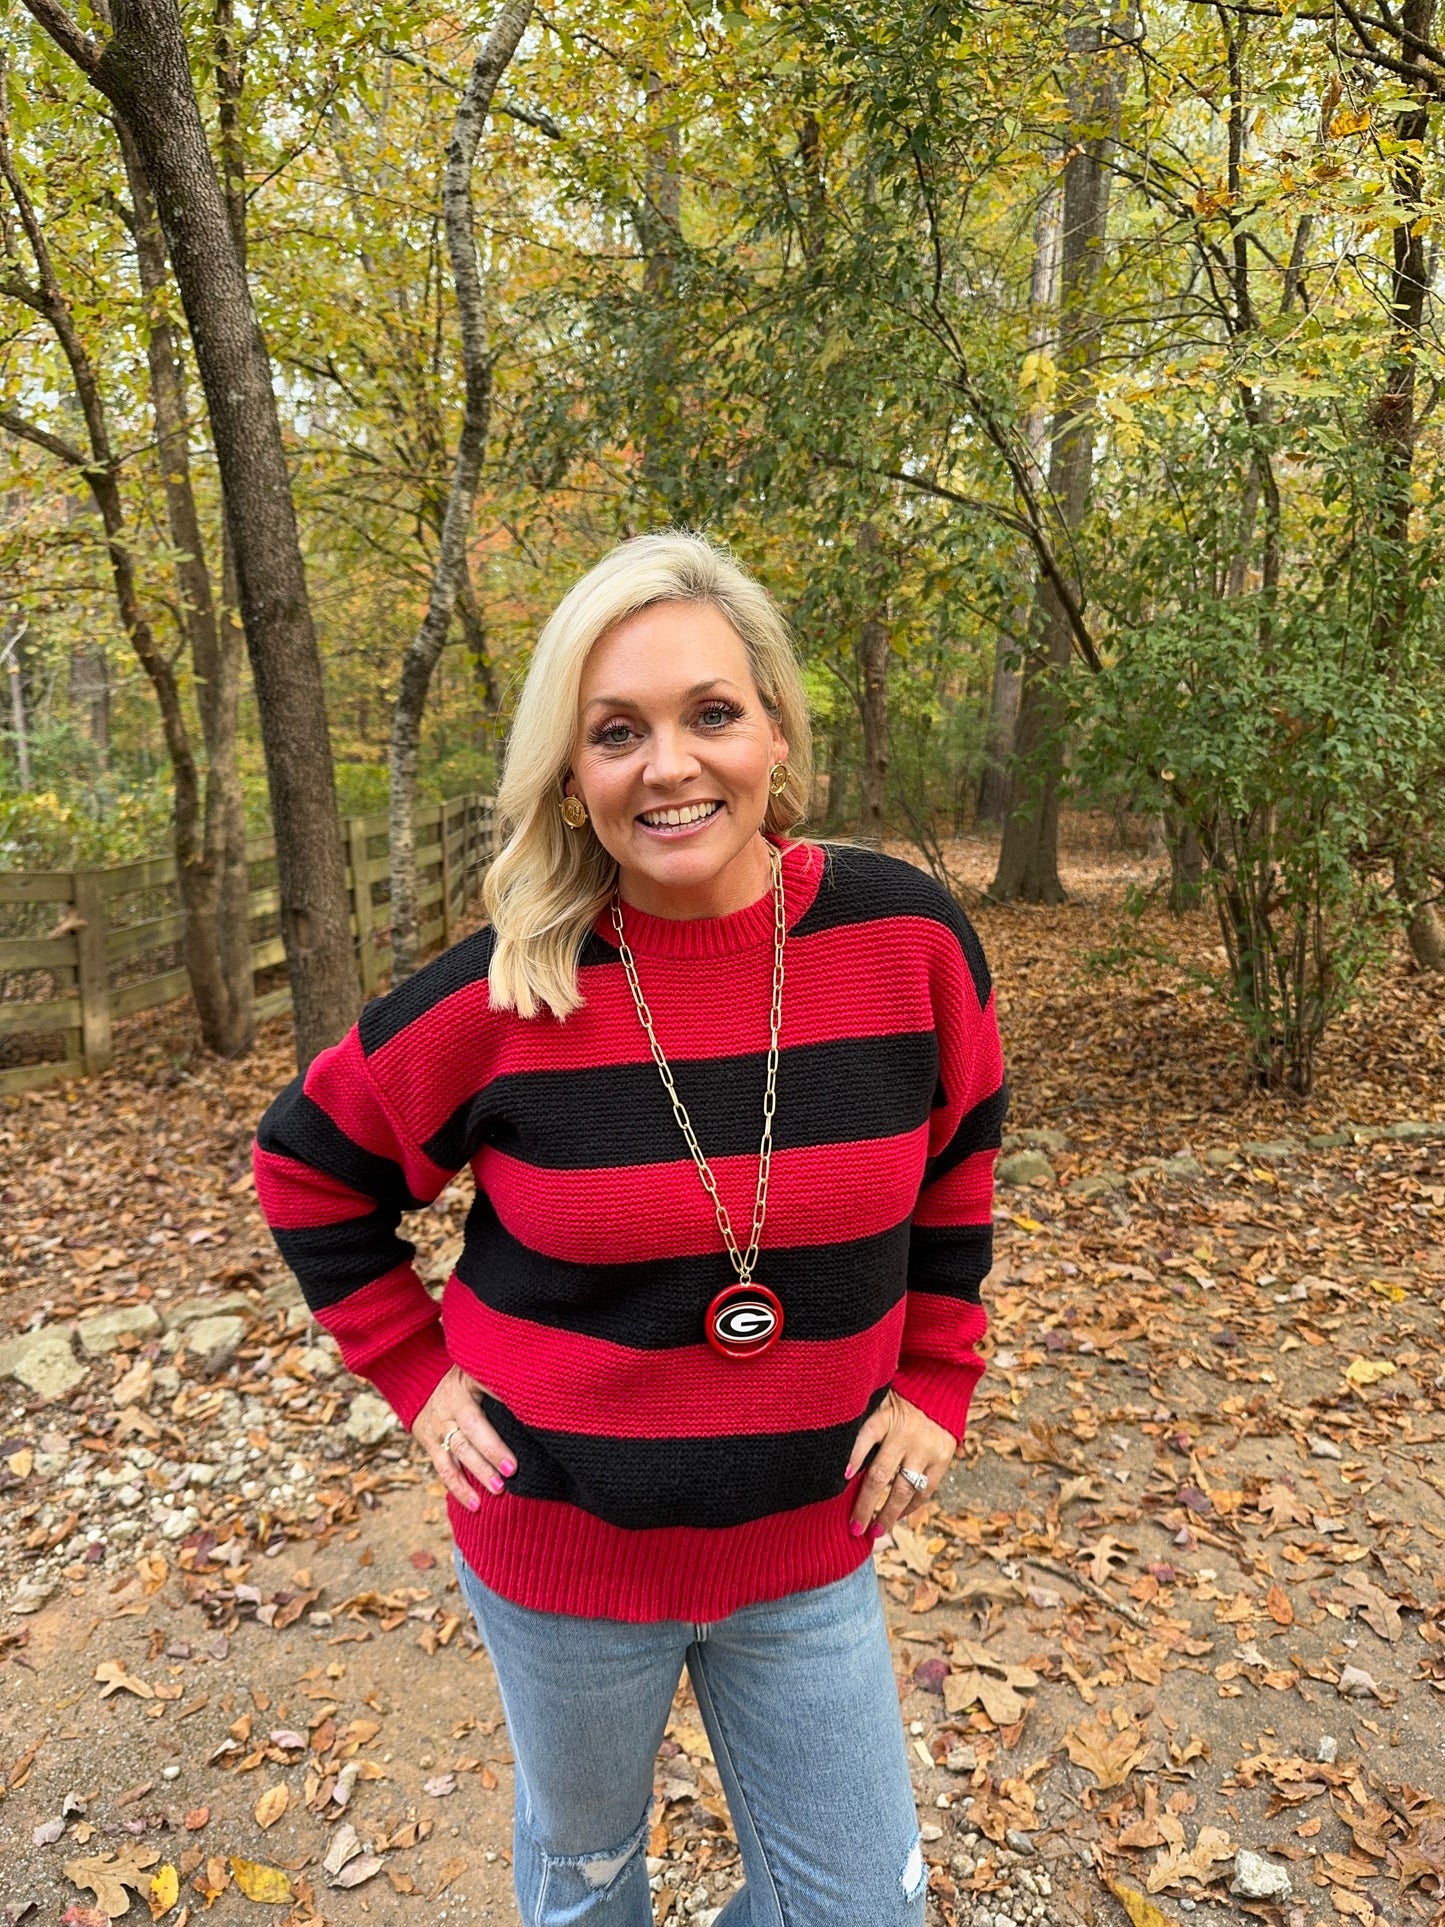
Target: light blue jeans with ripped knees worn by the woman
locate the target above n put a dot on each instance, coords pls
(802, 1712)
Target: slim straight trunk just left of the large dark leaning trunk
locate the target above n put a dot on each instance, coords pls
(219, 889)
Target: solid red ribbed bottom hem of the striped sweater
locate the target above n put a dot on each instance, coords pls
(560, 1560)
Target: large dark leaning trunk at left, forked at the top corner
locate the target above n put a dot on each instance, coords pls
(144, 70)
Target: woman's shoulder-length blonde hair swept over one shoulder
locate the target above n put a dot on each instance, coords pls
(548, 882)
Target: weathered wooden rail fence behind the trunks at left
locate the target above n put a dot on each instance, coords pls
(82, 949)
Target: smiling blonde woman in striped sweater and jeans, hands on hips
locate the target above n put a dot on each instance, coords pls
(731, 1107)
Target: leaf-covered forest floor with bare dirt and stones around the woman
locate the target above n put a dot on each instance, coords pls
(1180, 1602)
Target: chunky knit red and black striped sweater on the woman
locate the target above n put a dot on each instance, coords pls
(658, 1479)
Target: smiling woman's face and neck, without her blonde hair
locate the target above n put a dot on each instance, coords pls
(673, 758)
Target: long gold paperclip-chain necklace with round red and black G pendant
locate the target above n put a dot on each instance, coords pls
(745, 1319)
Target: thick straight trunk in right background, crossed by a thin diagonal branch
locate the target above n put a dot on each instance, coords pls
(1028, 860)
